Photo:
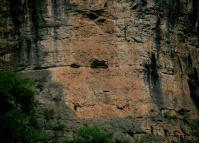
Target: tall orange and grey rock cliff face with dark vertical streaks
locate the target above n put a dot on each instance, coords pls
(129, 65)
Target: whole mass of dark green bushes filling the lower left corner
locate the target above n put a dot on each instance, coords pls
(17, 109)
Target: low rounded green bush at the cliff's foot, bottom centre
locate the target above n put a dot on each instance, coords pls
(92, 134)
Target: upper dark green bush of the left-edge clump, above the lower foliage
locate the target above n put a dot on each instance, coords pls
(16, 91)
